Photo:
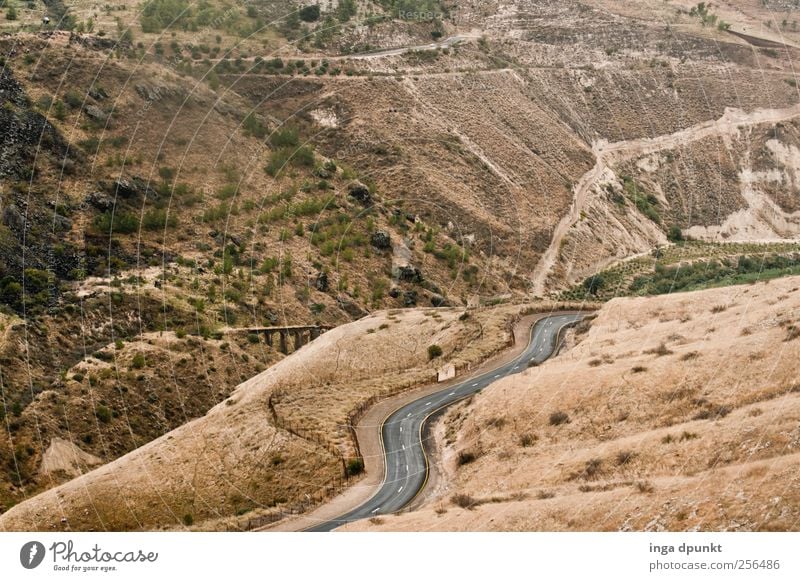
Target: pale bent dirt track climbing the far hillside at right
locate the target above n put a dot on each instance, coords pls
(610, 154)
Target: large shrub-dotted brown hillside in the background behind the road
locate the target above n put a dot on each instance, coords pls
(174, 175)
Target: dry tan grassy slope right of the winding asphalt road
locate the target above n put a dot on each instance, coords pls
(670, 413)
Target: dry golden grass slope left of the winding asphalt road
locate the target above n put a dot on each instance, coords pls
(280, 441)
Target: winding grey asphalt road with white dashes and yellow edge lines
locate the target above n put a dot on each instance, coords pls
(402, 433)
